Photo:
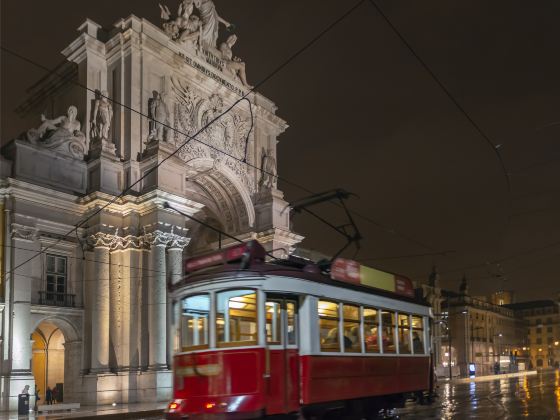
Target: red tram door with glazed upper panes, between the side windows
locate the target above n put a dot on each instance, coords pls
(282, 354)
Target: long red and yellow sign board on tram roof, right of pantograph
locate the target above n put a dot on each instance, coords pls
(351, 271)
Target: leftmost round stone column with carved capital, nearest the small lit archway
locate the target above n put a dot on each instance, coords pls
(101, 243)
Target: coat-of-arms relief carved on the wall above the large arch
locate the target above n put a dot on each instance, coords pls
(226, 134)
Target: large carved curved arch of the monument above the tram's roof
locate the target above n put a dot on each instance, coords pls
(224, 195)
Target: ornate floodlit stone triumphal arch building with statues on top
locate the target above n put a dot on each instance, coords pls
(85, 267)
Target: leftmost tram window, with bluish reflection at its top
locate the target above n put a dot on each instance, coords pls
(194, 322)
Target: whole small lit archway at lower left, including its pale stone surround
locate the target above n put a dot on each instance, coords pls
(56, 358)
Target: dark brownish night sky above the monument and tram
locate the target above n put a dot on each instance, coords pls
(365, 116)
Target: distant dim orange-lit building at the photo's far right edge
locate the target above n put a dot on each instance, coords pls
(542, 342)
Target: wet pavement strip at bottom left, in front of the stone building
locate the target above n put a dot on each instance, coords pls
(104, 412)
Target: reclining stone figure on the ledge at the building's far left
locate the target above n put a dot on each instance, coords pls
(61, 134)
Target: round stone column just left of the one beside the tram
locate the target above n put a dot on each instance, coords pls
(157, 300)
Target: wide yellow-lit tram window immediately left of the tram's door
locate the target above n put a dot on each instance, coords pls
(236, 318)
